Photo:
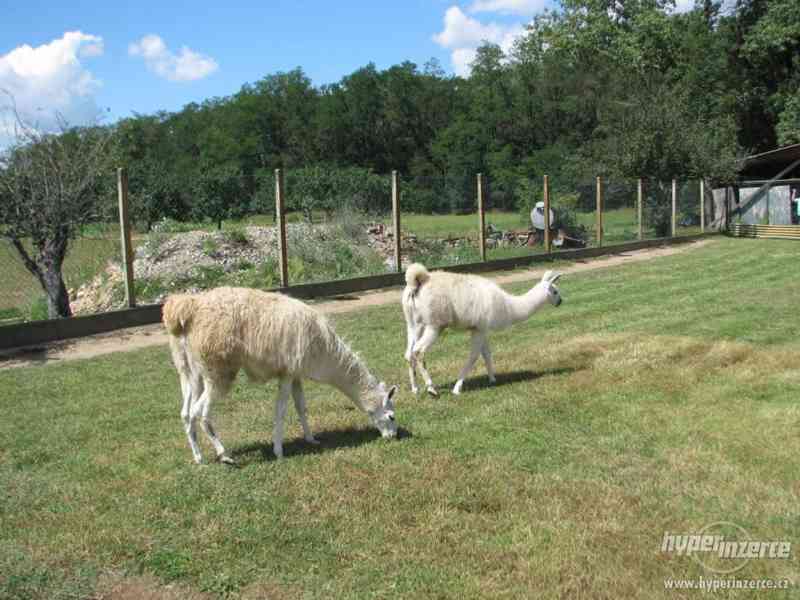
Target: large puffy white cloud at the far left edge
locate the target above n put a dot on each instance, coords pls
(49, 82)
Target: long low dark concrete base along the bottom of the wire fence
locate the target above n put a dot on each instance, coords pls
(42, 332)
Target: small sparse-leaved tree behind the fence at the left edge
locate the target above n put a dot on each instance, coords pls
(48, 190)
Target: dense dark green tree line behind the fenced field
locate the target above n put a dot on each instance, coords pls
(599, 87)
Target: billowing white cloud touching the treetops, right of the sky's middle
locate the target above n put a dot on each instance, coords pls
(463, 34)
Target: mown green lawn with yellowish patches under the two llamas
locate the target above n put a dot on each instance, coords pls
(661, 397)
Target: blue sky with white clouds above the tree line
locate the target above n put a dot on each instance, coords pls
(78, 58)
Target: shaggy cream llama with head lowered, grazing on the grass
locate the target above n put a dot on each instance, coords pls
(215, 334)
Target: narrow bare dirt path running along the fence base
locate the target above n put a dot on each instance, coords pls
(152, 335)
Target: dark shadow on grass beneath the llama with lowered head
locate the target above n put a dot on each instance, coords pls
(328, 440)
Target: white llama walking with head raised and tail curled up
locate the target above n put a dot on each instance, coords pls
(434, 301)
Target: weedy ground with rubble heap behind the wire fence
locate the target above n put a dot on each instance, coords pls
(445, 222)
